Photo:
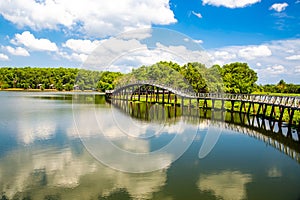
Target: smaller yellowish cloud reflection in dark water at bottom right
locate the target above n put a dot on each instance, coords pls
(229, 185)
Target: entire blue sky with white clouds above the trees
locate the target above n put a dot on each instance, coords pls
(53, 33)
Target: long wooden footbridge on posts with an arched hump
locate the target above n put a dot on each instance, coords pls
(153, 92)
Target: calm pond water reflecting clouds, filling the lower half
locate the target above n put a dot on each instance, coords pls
(78, 146)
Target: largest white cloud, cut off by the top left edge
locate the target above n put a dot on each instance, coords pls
(98, 18)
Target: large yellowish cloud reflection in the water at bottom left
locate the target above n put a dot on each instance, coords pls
(58, 171)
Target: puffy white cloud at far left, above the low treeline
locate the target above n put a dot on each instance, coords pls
(28, 40)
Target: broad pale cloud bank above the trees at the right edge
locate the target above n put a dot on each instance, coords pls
(279, 58)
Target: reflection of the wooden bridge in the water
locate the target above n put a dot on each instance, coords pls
(281, 137)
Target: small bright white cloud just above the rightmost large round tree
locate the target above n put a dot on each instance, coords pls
(252, 52)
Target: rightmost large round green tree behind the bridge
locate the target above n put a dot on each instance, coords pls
(238, 78)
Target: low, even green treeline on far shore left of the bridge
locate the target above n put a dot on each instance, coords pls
(56, 78)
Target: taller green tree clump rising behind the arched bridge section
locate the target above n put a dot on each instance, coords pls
(231, 78)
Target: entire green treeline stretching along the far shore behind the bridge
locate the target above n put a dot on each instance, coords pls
(230, 78)
